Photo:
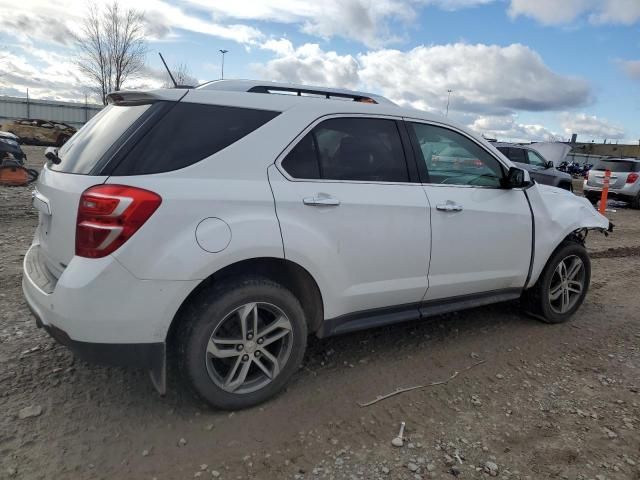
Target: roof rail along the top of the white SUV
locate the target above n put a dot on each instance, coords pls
(256, 86)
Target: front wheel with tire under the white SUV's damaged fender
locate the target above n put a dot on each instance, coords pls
(538, 299)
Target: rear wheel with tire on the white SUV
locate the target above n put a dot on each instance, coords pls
(209, 367)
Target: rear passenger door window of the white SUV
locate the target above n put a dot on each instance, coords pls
(357, 149)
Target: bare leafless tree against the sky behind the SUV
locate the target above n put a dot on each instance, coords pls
(112, 47)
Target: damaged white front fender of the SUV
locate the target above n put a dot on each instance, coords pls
(559, 214)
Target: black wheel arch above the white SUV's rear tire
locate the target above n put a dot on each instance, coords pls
(285, 272)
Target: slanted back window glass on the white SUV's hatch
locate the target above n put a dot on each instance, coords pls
(86, 148)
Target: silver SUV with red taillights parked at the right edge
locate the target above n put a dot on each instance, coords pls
(624, 183)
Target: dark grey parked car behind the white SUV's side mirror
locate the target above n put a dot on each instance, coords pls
(541, 169)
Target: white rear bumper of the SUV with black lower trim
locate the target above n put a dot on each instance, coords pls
(103, 313)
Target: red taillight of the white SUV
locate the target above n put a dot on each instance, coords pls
(108, 215)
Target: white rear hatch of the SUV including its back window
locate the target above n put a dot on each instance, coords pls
(57, 193)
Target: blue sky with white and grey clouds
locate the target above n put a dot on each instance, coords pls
(518, 69)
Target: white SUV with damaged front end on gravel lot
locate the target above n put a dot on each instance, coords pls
(230, 221)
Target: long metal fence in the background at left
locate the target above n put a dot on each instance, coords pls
(76, 114)
